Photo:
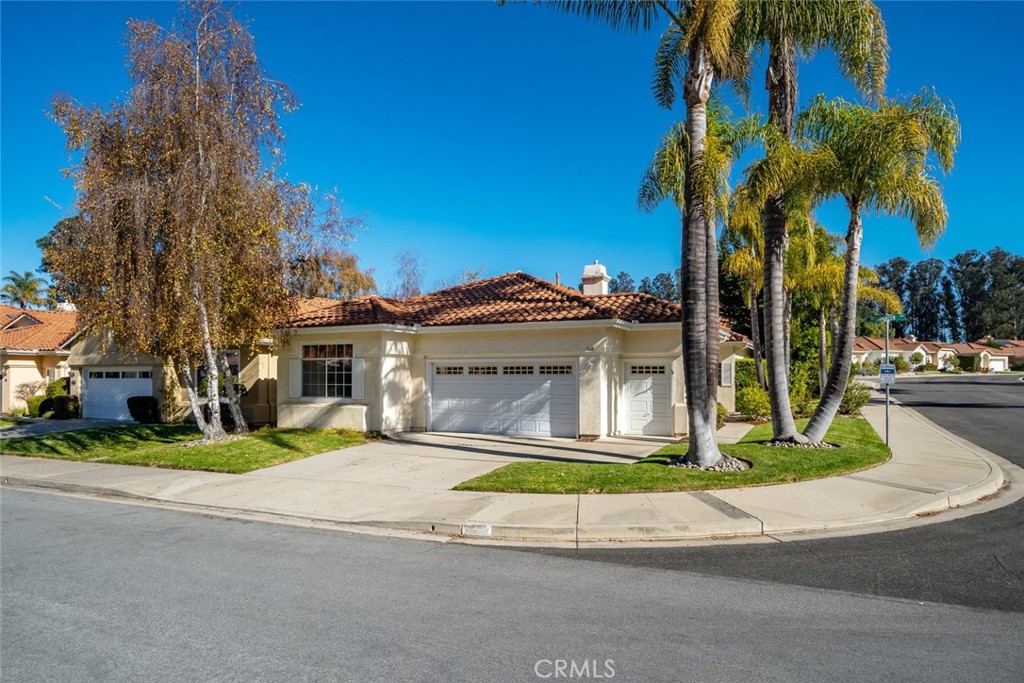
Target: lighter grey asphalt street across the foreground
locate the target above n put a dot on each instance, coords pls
(97, 591)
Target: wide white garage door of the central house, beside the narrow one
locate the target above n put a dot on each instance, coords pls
(525, 399)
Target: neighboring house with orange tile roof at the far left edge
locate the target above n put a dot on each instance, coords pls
(34, 351)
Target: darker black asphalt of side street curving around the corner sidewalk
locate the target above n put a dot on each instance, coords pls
(976, 562)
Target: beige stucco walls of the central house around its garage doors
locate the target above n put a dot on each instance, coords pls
(398, 363)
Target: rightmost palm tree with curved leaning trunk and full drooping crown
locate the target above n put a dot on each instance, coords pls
(885, 158)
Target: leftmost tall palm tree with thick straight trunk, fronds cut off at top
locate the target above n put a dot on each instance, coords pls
(695, 51)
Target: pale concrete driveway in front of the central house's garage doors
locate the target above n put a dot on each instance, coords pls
(441, 461)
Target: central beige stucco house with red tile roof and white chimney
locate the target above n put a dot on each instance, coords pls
(510, 355)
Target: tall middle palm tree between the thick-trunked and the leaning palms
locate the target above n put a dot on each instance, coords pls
(855, 32)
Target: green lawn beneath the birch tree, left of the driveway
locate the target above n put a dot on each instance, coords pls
(161, 446)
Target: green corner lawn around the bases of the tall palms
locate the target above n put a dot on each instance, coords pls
(861, 450)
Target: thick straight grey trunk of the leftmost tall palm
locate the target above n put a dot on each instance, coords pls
(696, 260)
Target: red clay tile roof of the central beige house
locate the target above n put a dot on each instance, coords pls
(516, 297)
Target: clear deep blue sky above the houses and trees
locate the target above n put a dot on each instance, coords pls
(511, 139)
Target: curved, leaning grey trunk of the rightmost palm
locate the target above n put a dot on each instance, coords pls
(839, 374)
